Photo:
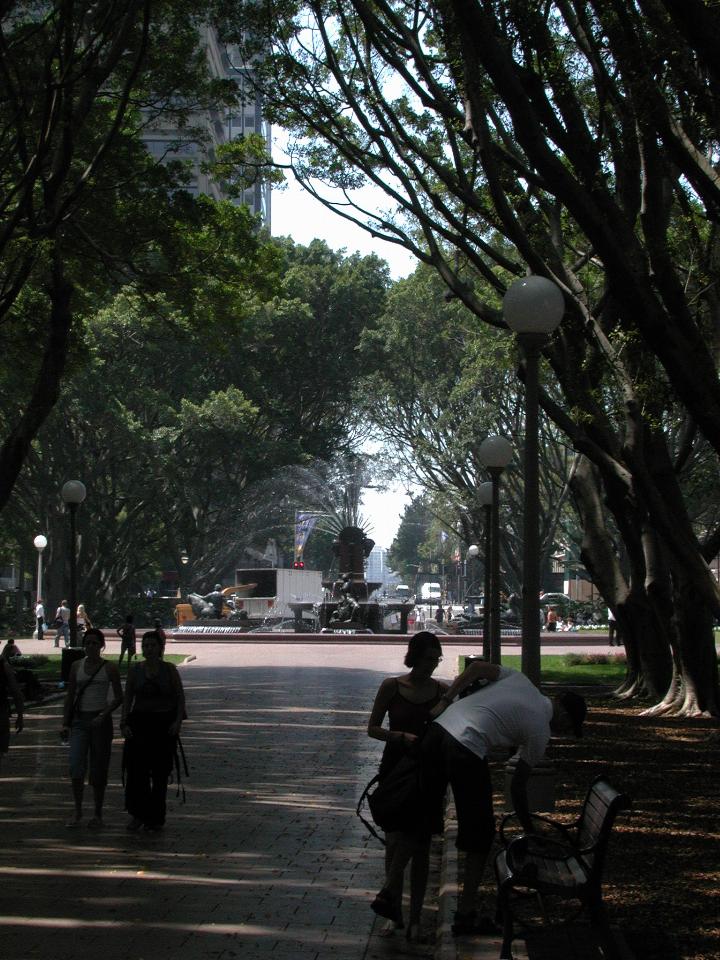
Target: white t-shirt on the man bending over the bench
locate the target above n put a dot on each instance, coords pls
(509, 713)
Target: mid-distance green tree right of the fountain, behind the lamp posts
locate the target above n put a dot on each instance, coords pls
(441, 385)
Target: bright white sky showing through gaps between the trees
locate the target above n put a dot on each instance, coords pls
(298, 215)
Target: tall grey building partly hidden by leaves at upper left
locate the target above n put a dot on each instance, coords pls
(166, 141)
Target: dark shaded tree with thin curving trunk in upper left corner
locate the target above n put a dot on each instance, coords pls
(79, 81)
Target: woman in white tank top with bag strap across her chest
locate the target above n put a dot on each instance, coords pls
(94, 691)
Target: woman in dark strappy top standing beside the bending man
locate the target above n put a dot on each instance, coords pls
(407, 701)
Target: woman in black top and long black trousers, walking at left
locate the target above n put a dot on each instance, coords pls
(152, 714)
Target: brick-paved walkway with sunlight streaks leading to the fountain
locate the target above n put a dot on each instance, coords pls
(265, 860)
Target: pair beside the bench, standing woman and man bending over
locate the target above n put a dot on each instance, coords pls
(451, 732)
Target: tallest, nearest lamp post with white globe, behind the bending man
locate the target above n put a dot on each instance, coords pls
(533, 308)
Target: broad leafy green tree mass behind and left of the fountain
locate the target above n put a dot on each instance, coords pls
(181, 455)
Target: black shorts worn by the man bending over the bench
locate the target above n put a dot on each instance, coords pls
(445, 761)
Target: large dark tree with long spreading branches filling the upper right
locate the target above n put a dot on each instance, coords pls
(565, 138)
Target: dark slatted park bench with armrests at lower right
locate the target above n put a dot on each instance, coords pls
(565, 862)
